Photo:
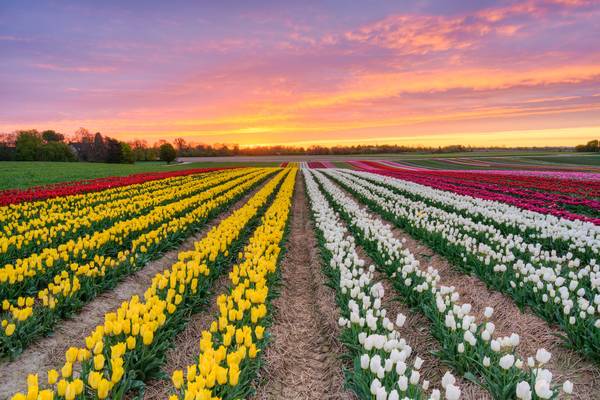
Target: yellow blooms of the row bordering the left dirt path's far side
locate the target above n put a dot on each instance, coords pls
(65, 286)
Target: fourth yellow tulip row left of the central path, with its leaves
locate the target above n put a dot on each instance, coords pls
(35, 271)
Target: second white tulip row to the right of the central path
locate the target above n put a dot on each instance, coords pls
(468, 345)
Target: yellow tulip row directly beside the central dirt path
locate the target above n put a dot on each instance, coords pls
(235, 337)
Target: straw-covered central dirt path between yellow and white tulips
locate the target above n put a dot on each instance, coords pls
(302, 362)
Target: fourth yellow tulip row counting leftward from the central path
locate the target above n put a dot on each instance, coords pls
(14, 278)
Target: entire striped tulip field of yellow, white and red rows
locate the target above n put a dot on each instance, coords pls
(404, 283)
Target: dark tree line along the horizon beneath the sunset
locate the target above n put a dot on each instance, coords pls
(49, 145)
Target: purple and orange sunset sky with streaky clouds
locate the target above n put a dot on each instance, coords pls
(483, 73)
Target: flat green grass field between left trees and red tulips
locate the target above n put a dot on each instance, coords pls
(23, 174)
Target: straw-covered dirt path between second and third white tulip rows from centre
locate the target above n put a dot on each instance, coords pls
(534, 332)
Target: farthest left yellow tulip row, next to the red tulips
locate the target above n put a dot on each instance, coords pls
(58, 209)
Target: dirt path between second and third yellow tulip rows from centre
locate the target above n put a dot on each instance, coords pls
(49, 352)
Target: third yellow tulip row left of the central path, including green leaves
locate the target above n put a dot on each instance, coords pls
(31, 317)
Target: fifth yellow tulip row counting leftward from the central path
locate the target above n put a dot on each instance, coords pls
(31, 239)
